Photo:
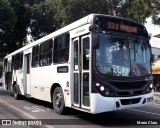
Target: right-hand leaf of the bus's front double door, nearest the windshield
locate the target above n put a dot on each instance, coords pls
(85, 71)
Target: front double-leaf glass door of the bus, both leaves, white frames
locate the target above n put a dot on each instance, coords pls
(81, 72)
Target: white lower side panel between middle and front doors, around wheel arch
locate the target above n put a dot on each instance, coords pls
(42, 79)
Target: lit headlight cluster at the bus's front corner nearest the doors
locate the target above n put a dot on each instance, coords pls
(103, 90)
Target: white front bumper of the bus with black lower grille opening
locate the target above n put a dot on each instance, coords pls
(101, 104)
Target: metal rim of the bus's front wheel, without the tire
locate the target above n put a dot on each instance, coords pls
(58, 100)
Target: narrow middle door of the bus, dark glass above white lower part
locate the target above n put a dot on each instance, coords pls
(27, 59)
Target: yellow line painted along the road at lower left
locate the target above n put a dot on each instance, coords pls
(26, 114)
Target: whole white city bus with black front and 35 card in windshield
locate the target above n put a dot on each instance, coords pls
(97, 64)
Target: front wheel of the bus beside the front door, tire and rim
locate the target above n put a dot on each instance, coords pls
(58, 101)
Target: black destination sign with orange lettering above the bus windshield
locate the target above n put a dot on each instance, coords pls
(120, 25)
